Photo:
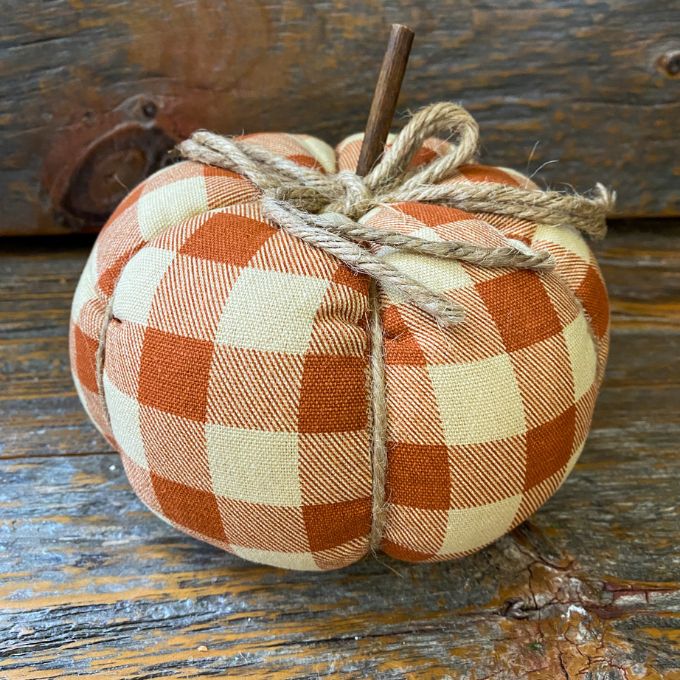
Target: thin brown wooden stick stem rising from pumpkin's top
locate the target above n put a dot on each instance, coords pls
(385, 97)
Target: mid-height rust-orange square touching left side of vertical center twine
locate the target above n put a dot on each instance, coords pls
(333, 395)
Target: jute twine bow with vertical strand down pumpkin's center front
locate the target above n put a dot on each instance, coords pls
(325, 210)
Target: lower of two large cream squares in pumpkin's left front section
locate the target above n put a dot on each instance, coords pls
(254, 466)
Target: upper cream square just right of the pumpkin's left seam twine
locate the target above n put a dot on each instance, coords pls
(138, 282)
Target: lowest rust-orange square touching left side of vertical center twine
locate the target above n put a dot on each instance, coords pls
(329, 525)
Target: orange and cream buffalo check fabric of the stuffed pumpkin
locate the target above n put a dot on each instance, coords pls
(233, 375)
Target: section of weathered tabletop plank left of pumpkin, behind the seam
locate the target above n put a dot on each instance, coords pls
(40, 412)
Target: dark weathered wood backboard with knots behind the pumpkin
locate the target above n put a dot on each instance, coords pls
(92, 94)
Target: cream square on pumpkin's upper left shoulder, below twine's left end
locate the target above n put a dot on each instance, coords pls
(171, 204)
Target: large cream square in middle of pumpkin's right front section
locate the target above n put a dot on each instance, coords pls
(479, 401)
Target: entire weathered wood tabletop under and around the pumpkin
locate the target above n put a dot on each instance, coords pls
(93, 584)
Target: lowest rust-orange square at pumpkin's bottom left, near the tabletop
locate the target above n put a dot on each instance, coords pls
(191, 508)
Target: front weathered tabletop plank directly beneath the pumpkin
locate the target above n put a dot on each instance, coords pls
(94, 583)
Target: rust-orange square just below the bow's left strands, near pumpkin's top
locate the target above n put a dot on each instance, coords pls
(227, 238)
